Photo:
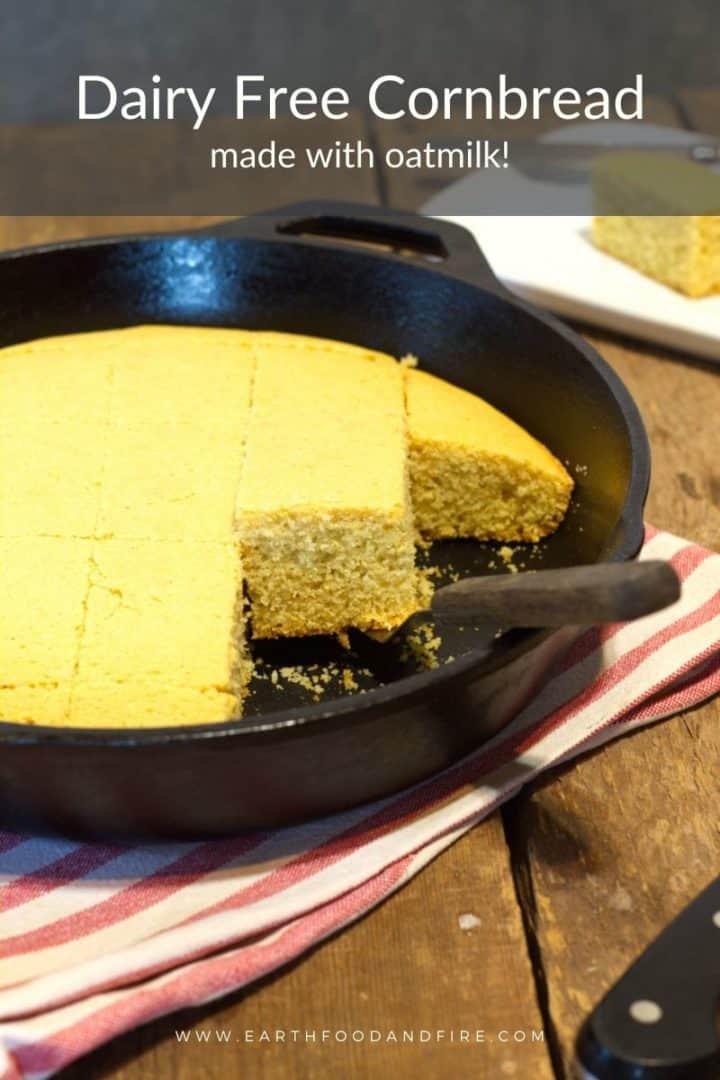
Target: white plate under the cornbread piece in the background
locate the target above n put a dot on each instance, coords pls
(552, 262)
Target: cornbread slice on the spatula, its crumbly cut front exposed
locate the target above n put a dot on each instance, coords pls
(323, 510)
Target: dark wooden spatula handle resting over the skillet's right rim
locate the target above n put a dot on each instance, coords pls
(580, 596)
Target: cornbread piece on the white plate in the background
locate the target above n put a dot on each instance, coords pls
(661, 215)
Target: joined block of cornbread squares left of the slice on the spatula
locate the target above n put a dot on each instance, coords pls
(123, 584)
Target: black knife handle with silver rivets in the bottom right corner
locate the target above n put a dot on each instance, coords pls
(660, 1022)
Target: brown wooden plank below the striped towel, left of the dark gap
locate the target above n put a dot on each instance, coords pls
(407, 967)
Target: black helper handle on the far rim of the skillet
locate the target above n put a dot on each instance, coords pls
(424, 241)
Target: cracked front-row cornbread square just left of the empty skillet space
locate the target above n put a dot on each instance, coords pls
(162, 639)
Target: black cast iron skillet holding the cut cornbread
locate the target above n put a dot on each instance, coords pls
(401, 285)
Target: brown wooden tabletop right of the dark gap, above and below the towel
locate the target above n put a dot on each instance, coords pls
(616, 846)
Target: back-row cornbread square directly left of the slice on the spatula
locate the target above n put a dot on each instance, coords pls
(174, 445)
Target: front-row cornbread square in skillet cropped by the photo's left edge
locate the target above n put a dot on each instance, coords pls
(45, 583)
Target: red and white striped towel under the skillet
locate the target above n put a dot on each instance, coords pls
(99, 938)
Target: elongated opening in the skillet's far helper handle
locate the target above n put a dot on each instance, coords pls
(387, 237)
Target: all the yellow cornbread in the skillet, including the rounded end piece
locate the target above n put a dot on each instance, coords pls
(148, 474)
